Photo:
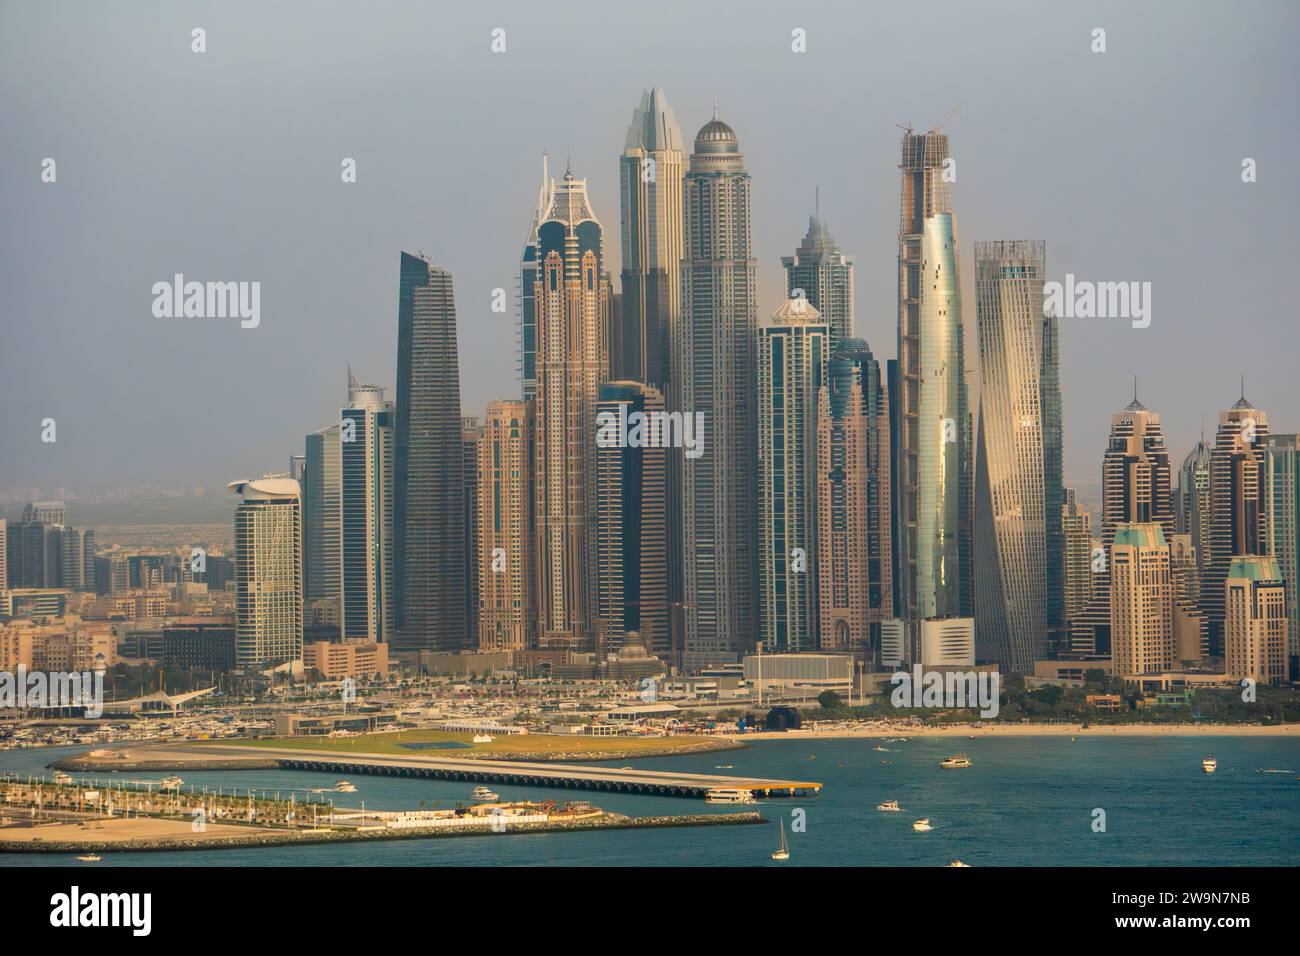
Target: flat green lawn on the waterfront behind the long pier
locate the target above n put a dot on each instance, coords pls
(521, 743)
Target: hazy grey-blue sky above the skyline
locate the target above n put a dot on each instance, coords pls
(226, 166)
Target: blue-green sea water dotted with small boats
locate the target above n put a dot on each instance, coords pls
(1026, 802)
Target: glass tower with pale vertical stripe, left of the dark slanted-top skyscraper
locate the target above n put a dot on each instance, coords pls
(366, 513)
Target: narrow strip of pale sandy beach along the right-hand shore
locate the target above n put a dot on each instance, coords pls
(987, 729)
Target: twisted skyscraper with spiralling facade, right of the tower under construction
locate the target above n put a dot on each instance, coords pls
(1011, 527)
